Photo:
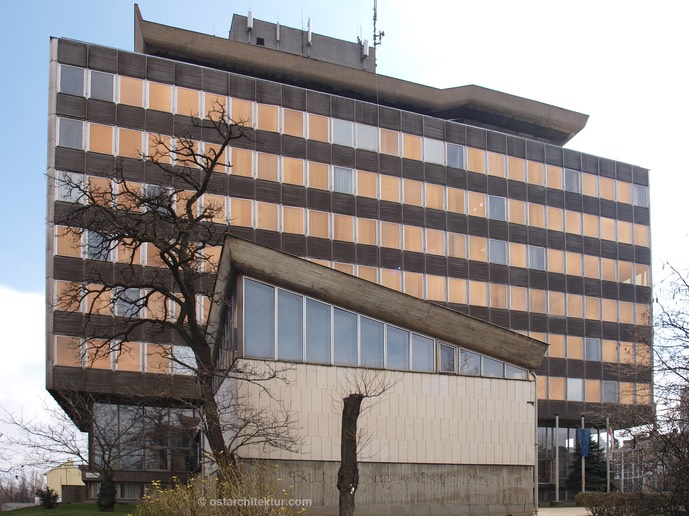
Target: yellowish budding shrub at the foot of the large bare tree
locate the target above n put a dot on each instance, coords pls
(199, 495)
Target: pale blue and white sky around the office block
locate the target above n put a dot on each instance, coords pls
(621, 62)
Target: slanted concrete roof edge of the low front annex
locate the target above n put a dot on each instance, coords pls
(242, 257)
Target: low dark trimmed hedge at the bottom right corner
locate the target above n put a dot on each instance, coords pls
(624, 504)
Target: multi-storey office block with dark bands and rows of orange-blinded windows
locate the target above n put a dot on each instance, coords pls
(464, 197)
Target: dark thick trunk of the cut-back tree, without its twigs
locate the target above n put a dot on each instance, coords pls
(348, 474)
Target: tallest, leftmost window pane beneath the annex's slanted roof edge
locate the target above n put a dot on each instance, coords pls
(259, 320)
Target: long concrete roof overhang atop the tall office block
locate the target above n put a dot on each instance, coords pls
(471, 104)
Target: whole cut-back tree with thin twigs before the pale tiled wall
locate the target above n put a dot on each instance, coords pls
(356, 385)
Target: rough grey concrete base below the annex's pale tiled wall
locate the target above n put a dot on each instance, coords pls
(387, 489)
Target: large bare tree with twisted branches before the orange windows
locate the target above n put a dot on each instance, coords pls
(178, 220)
